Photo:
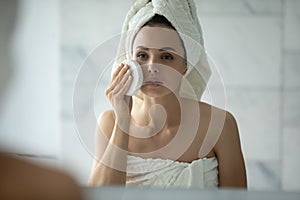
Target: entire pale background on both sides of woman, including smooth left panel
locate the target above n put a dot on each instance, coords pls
(254, 43)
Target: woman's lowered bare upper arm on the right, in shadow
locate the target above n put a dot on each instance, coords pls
(232, 172)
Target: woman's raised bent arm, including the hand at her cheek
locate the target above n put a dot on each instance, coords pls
(111, 139)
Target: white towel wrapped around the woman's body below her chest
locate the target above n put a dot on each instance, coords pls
(156, 172)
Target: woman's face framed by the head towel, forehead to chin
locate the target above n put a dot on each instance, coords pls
(160, 52)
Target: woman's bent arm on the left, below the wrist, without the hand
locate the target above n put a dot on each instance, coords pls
(111, 145)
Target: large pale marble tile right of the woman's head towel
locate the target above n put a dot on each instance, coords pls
(245, 49)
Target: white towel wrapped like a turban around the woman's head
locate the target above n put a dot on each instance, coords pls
(182, 15)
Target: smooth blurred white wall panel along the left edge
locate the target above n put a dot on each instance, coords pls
(30, 120)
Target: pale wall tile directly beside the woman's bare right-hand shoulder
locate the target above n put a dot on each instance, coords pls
(257, 114)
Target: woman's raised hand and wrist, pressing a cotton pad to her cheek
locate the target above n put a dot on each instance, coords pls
(116, 91)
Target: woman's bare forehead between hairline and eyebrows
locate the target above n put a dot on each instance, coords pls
(158, 38)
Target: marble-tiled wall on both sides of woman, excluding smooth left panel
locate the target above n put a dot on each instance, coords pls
(256, 47)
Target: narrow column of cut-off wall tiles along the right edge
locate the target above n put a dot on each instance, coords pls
(291, 96)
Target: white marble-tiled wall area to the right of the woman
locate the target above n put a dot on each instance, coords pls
(255, 46)
